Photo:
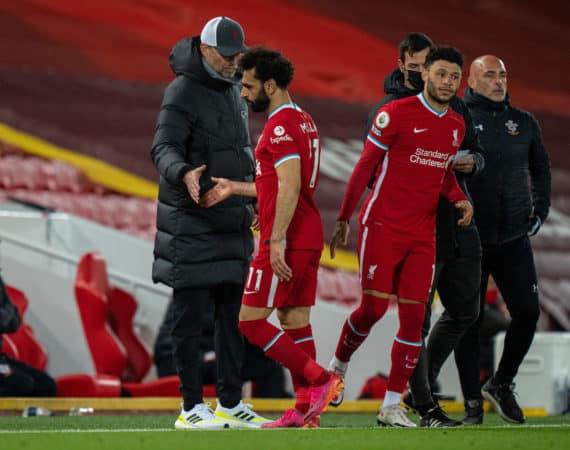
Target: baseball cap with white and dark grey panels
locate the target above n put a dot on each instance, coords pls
(225, 34)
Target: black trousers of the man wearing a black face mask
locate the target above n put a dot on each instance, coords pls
(457, 282)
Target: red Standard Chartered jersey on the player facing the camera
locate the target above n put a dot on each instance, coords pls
(413, 146)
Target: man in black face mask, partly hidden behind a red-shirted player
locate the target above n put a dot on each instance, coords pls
(458, 249)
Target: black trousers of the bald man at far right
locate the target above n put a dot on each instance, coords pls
(512, 266)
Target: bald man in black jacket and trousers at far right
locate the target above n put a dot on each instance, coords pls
(509, 209)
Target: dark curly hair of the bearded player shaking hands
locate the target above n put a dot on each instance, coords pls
(268, 64)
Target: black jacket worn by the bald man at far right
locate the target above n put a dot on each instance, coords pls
(516, 180)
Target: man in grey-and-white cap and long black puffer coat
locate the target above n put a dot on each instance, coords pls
(204, 253)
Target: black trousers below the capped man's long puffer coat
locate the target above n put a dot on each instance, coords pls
(189, 307)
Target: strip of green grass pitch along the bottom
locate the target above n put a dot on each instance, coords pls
(338, 431)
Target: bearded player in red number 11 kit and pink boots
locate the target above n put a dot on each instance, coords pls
(283, 275)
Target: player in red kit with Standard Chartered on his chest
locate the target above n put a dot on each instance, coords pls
(412, 143)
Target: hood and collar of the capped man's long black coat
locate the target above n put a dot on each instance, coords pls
(186, 59)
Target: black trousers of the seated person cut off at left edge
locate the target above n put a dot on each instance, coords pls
(18, 379)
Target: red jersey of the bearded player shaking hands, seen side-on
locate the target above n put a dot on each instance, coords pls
(289, 133)
